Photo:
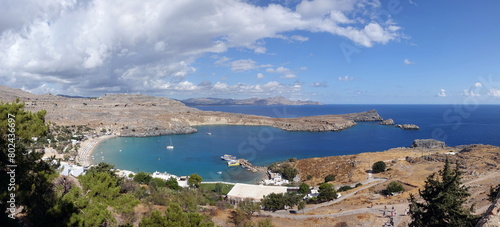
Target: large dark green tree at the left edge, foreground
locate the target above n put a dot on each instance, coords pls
(33, 187)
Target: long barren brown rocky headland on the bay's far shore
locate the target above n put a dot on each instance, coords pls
(141, 115)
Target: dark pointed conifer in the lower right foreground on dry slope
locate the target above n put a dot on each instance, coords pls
(444, 199)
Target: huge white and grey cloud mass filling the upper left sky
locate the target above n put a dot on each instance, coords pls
(87, 47)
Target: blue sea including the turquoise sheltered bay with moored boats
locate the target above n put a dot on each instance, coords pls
(262, 145)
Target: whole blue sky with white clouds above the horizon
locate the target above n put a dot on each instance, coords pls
(332, 51)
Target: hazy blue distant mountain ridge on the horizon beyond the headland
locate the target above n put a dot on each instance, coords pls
(250, 101)
